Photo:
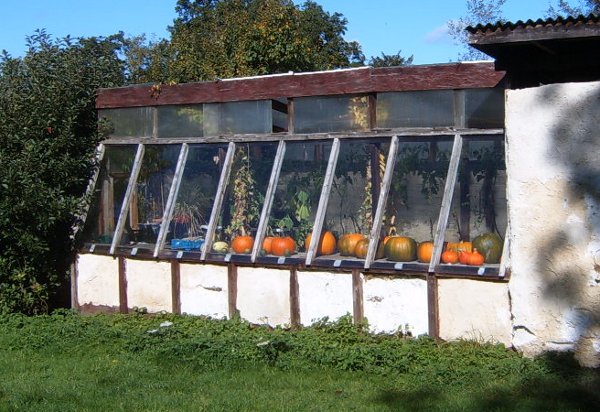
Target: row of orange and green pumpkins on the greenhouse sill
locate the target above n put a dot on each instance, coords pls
(485, 248)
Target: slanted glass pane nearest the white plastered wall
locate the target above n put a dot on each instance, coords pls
(479, 204)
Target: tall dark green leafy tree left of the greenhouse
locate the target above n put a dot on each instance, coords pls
(48, 132)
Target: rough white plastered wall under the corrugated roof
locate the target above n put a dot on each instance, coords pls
(553, 163)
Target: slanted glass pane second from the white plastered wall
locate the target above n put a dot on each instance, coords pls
(416, 193)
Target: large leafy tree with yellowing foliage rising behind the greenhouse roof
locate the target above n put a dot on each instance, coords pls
(213, 39)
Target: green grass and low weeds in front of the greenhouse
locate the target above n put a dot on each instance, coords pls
(67, 362)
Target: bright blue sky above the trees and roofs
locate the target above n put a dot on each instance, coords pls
(413, 27)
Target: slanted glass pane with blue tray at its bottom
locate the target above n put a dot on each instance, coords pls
(196, 196)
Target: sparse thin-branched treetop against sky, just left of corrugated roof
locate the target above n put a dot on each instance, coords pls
(478, 12)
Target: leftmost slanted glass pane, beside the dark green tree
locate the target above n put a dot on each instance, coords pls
(108, 194)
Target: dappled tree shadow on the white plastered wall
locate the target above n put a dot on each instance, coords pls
(567, 277)
